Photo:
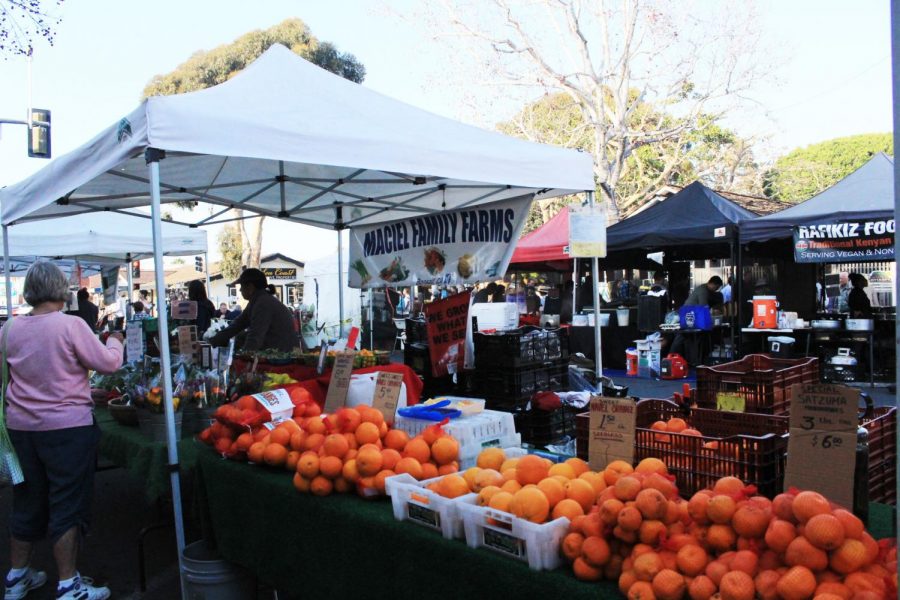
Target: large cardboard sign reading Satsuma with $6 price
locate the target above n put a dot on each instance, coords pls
(824, 420)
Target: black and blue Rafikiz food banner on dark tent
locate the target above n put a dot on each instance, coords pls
(853, 241)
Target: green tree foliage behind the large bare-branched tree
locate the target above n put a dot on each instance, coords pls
(709, 152)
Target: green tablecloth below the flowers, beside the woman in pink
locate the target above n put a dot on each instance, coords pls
(147, 460)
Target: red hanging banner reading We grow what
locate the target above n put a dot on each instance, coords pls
(446, 322)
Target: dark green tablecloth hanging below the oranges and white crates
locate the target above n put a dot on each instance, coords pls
(342, 546)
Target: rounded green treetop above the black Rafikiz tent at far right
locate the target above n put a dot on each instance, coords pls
(805, 172)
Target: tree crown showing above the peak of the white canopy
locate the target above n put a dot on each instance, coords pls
(208, 68)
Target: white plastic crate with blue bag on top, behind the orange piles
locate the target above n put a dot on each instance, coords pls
(474, 433)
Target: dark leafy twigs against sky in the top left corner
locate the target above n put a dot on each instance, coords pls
(21, 21)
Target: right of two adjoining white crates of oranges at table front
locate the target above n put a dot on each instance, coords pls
(502, 532)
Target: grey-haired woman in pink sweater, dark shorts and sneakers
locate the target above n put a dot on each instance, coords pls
(52, 428)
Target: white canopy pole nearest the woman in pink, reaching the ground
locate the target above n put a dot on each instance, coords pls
(153, 157)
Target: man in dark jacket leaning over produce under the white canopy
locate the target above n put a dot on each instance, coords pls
(266, 322)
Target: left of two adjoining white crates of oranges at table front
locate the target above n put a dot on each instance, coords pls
(412, 501)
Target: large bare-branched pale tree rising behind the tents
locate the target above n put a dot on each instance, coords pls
(623, 64)
